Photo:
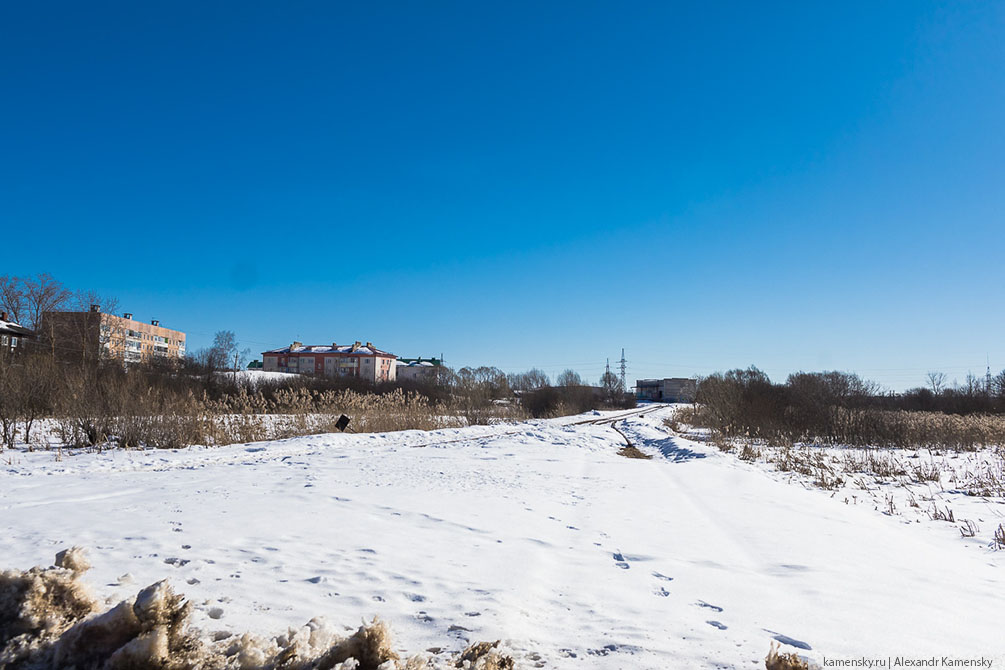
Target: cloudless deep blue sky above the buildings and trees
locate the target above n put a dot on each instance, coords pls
(796, 186)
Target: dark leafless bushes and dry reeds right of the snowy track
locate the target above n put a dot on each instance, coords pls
(842, 408)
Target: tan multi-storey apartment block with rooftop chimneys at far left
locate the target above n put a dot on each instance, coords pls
(100, 335)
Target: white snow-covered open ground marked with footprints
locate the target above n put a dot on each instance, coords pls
(538, 533)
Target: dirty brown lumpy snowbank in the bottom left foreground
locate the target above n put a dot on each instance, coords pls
(49, 619)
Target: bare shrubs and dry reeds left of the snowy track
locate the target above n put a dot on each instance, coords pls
(171, 405)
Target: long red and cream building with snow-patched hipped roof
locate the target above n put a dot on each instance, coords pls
(362, 361)
